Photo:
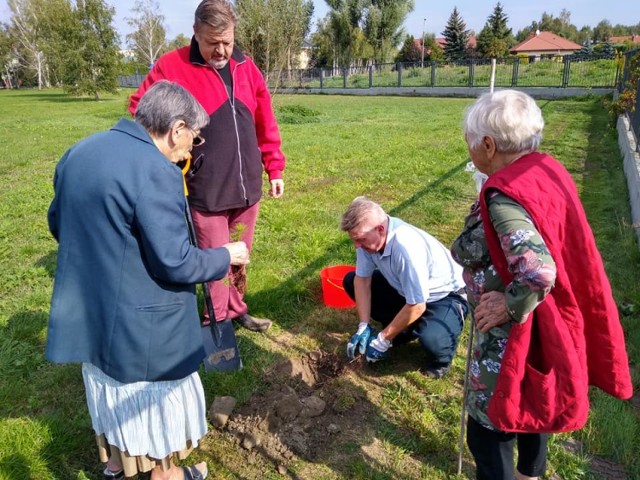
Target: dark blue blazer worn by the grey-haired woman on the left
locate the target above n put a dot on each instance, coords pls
(124, 295)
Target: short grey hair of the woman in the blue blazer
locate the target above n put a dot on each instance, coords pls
(166, 103)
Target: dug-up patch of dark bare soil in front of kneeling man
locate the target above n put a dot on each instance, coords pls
(304, 412)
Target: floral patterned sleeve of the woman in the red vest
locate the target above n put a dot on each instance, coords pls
(528, 258)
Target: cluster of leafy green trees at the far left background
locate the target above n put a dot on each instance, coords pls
(56, 42)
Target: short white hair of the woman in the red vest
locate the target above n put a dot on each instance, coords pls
(510, 117)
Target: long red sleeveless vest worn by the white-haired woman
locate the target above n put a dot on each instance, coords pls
(573, 339)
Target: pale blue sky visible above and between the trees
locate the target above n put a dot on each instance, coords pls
(430, 16)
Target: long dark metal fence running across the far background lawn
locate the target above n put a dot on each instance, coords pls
(554, 72)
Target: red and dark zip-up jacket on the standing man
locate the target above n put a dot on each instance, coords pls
(242, 138)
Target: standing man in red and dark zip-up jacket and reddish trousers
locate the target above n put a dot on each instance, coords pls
(242, 141)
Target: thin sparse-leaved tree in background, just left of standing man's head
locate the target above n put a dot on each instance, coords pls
(149, 34)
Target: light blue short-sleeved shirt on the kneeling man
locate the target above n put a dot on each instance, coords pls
(415, 263)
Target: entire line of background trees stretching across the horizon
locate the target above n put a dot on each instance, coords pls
(73, 43)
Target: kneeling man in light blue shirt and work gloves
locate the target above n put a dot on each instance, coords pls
(407, 281)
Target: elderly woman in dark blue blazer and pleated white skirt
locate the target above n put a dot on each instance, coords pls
(124, 301)
